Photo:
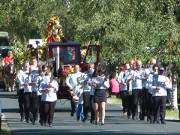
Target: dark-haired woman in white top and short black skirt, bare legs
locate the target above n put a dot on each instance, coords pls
(100, 83)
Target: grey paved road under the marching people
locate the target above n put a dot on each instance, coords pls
(115, 122)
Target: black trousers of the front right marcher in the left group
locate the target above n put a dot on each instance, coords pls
(48, 111)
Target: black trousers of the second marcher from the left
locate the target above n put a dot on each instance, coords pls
(27, 105)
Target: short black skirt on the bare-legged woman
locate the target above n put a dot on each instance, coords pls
(99, 95)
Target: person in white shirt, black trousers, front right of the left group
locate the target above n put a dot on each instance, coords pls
(48, 87)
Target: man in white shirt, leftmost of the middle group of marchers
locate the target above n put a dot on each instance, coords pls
(73, 84)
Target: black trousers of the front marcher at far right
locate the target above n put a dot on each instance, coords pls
(159, 108)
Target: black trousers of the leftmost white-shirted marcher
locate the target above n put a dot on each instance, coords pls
(20, 94)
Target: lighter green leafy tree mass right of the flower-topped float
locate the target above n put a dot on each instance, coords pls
(126, 28)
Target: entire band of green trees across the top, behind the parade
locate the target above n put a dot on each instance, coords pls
(124, 28)
